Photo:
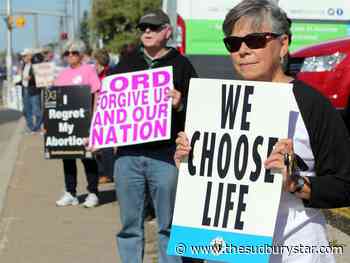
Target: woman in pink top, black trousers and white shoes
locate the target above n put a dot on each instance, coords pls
(79, 74)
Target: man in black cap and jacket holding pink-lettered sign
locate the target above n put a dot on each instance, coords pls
(152, 163)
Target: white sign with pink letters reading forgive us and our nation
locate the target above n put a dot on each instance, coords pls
(133, 108)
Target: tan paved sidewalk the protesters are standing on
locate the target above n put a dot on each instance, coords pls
(34, 230)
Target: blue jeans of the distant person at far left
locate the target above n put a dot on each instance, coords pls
(32, 111)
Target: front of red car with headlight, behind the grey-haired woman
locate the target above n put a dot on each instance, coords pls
(325, 67)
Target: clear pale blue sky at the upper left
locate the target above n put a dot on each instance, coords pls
(48, 26)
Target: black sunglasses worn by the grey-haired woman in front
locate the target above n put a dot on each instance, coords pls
(253, 41)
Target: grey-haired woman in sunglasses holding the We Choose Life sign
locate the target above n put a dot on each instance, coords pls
(317, 156)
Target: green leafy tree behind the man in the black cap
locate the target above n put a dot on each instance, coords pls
(115, 21)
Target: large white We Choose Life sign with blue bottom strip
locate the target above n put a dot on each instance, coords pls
(226, 201)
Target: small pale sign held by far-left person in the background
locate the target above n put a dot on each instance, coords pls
(45, 73)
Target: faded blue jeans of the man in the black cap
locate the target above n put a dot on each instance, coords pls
(132, 173)
